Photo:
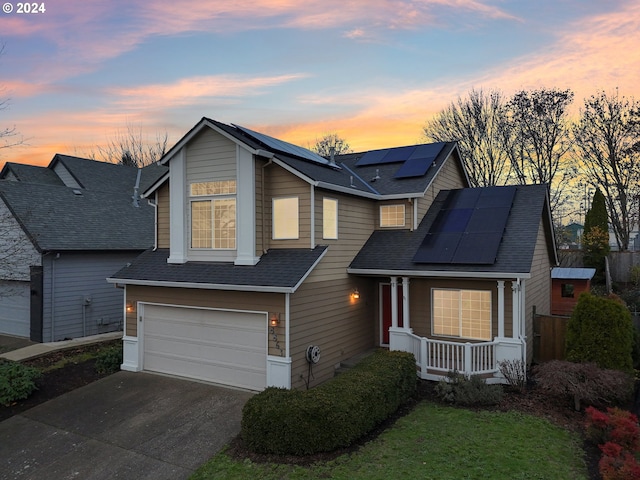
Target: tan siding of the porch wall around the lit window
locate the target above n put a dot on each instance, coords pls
(420, 303)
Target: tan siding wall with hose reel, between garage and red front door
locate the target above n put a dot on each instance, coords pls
(325, 314)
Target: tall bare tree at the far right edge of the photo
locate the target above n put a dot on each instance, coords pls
(607, 145)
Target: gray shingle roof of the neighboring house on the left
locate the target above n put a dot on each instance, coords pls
(98, 216)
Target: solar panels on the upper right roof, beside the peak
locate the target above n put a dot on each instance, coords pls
(415, 159)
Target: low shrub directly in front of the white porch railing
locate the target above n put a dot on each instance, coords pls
(460, 390)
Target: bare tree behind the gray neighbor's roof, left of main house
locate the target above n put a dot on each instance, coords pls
(131, 147)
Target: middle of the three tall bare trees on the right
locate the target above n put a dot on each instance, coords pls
(536, 136)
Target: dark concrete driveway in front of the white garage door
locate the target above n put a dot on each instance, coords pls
(127, 425)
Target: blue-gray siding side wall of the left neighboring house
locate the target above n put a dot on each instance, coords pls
(68, 280)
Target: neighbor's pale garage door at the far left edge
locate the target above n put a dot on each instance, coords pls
(14, 308)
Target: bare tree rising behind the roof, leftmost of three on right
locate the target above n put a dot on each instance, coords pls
(476, 123)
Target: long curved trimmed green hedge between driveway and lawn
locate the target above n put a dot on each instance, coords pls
(332, 415)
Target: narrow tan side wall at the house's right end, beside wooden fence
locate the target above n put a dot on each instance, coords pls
(538, 287)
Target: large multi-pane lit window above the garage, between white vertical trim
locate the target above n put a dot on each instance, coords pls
(213, 219)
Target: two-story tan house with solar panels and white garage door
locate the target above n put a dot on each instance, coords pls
(272, 265)
